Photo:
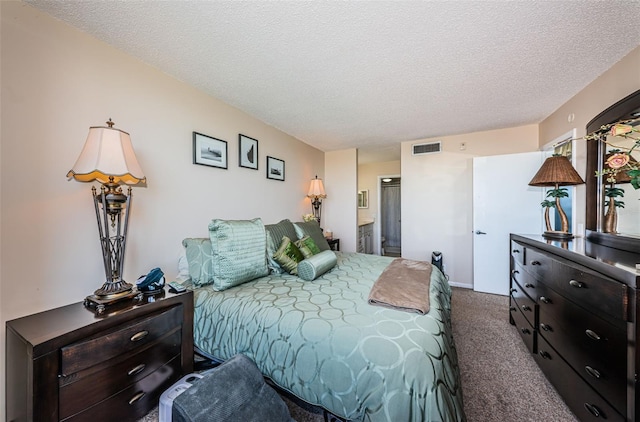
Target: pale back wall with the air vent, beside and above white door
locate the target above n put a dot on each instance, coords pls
(437, 211)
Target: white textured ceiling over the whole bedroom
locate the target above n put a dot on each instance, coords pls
(372, 74)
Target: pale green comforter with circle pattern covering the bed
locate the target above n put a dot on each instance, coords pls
(323, 342)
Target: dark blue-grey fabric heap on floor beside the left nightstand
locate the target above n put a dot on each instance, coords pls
(234, 391)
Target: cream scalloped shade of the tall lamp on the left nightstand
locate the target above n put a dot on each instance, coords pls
(107, 153)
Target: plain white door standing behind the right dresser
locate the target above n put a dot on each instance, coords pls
(503, 203)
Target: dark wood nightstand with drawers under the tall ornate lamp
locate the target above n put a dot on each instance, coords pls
(70, 364)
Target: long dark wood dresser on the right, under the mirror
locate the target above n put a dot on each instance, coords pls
(575, 304)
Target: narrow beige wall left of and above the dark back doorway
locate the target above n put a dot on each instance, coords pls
(368, 178)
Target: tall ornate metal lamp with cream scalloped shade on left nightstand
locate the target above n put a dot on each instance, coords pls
(108, 157)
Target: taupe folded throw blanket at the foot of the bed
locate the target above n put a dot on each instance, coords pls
(403, 285)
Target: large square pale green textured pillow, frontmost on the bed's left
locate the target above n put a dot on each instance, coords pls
(238, 251)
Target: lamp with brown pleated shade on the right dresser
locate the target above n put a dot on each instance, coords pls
(557, 171)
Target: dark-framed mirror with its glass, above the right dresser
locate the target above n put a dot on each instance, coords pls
(621, 230)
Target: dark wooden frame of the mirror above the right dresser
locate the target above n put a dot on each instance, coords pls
(625, 109)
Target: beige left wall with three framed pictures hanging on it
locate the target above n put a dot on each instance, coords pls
(56, 82)
